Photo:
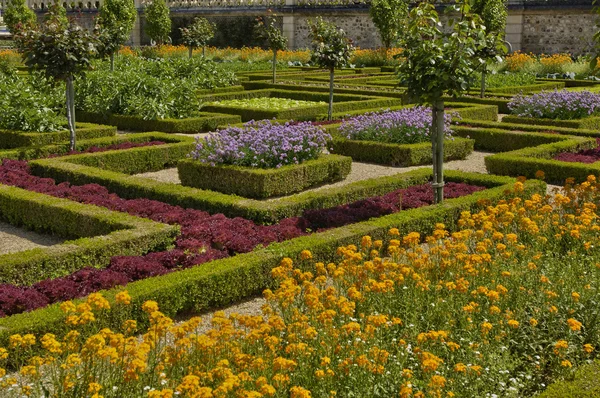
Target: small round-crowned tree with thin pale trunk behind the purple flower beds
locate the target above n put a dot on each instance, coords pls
(330, 49)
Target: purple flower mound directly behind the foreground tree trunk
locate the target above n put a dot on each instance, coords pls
(405, 126)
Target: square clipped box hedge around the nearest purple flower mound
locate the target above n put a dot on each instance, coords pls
(264, 183)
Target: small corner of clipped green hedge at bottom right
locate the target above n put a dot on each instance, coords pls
(584, 384)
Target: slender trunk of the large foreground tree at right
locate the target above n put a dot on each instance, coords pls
(437, 146)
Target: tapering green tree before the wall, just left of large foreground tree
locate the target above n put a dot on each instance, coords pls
(388, 17)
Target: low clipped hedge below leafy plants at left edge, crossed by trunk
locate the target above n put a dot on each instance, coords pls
(10, 139)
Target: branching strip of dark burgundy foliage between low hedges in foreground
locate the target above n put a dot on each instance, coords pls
(203, 238)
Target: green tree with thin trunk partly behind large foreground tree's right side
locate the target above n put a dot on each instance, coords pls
(493, 13)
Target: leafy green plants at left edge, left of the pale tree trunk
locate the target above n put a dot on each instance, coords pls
(30, 104)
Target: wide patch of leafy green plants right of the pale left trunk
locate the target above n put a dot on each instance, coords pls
(151, 89)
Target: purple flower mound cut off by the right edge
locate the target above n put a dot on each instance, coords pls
(561, 105)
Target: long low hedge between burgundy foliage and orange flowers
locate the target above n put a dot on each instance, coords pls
(225, 281)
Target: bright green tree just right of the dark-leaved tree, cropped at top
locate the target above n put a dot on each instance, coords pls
(115, 22)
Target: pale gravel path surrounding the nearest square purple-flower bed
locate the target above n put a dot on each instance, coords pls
(360, 171)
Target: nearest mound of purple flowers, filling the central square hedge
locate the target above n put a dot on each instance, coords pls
(263, 144)
